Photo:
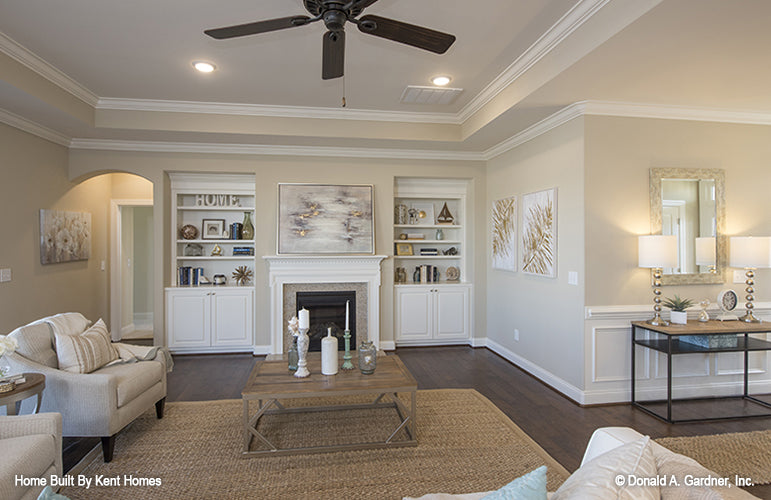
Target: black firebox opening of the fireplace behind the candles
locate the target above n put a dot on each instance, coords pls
(327, 310)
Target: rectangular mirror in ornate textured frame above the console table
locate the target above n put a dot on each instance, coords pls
(690, 204)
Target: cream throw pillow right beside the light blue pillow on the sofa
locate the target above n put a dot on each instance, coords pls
(619, 474)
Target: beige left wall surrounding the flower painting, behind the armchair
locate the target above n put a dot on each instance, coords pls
(34, 176)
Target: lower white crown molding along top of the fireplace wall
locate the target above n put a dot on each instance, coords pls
(273, 150)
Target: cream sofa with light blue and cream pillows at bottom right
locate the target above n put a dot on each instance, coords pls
(619, 463)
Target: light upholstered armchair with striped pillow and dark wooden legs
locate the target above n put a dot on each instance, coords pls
(98, 386)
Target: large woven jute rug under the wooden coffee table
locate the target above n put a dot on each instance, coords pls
(466, 444)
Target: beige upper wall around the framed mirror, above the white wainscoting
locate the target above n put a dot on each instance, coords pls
(619, 154)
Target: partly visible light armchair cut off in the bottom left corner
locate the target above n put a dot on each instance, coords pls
(30, 446)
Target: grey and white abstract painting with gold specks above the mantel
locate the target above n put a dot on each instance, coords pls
(325, 219)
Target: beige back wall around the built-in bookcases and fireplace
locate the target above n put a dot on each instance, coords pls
(272, 170)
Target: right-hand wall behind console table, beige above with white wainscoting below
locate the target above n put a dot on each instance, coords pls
(619, 155)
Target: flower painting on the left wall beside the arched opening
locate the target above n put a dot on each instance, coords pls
(64, 236)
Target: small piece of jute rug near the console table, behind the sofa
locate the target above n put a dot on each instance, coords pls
(746, 454)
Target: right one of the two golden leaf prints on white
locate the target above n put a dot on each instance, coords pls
(539, 233)
